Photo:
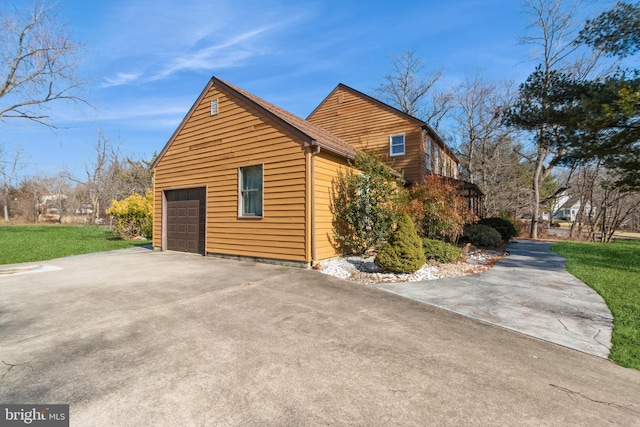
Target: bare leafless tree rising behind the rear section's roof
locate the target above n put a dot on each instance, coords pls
(411, 90)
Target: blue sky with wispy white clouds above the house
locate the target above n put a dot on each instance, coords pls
(146, 61)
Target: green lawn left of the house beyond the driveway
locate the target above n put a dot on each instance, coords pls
(27, 243)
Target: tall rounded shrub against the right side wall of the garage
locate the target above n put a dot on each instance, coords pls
(363, 205)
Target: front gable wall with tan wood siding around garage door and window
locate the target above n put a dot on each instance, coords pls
(208, 152)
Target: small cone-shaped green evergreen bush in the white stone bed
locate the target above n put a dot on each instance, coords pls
(403, 253)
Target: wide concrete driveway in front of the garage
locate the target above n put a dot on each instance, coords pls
(150, 338)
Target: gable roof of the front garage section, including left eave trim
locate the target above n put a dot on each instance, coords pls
(310, 133)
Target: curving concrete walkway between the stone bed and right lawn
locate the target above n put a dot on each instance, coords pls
(529, 292)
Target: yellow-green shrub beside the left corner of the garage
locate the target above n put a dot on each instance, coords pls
(133, 216)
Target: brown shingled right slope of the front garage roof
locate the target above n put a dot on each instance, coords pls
(313, 132)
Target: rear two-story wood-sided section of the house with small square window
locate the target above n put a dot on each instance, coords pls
(403, 141)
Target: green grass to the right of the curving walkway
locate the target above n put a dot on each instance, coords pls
(612, 270)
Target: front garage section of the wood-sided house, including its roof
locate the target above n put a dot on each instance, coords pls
(241, 177)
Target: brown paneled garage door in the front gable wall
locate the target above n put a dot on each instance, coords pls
(185, 219)
